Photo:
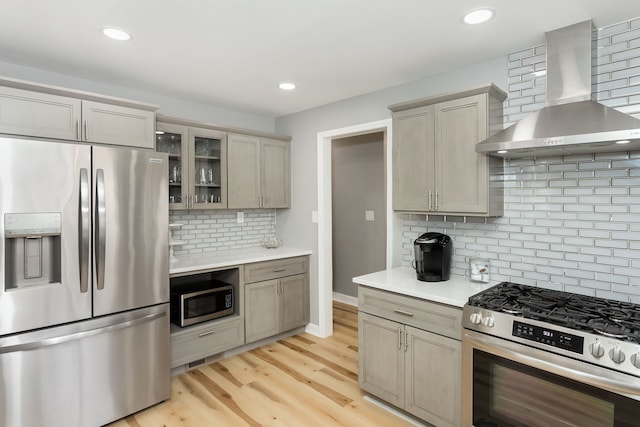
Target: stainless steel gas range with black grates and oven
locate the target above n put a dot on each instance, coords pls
(523, 368)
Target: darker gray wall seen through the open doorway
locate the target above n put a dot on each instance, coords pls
(358, 185)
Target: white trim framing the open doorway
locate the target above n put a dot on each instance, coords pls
(325, 250)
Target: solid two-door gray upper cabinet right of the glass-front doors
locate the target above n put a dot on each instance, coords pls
(259, 172)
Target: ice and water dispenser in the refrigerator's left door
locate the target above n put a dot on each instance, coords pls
(32, 249)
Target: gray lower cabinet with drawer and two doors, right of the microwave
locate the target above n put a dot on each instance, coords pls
(276, 297)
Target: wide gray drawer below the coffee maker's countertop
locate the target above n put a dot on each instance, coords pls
(429, 316)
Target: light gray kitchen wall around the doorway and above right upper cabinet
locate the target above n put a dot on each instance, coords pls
(294, 225)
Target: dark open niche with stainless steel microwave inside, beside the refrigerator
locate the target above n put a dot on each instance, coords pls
(198, 302)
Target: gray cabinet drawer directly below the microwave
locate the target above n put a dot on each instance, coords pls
(205, 340)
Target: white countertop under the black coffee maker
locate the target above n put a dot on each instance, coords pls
(402, 280)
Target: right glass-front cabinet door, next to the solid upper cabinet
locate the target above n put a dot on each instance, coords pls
(208, 168)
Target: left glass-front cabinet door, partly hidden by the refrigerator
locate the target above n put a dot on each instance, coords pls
(173, 139)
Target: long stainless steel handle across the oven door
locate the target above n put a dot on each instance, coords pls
(583, 372)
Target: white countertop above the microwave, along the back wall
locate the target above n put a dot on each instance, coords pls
(214, 260)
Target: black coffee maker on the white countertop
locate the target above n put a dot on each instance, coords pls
(433, 257)
